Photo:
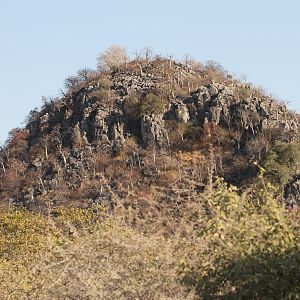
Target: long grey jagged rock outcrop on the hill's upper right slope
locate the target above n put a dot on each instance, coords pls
(224, 106)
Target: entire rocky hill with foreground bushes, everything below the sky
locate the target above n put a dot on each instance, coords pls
(152, 179)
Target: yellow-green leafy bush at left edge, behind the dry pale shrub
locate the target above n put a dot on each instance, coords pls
(24, 234)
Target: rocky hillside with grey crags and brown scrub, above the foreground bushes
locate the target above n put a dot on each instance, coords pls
(142, 118)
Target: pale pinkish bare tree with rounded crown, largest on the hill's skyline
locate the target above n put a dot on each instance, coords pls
(112, 58)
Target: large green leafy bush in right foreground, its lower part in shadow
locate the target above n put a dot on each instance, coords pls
(247, 249)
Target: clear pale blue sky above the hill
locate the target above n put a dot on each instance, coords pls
(44, 41)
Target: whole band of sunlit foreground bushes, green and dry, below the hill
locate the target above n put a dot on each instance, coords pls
(244, 246)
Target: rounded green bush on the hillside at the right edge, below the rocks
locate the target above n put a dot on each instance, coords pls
(282, 161)
